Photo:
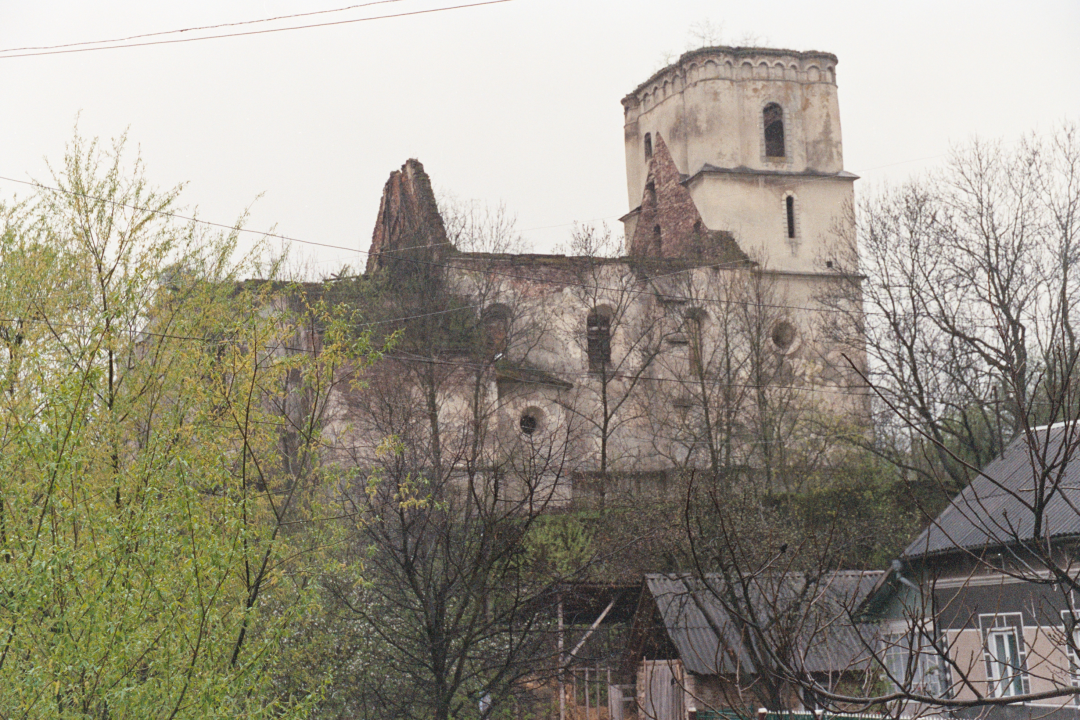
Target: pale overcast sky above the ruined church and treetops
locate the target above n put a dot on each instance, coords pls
(517, 102)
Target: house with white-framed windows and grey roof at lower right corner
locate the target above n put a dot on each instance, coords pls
(982, 606)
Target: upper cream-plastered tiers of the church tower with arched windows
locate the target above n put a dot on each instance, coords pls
(738, 144)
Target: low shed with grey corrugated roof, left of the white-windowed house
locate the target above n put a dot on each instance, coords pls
(723, 643)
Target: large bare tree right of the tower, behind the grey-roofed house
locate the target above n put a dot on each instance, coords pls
(969, 302)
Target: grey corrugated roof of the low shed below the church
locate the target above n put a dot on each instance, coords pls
(813, 620)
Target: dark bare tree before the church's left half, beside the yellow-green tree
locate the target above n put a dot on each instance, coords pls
(455, 468)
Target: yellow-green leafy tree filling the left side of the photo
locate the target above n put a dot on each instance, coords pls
(159, 428)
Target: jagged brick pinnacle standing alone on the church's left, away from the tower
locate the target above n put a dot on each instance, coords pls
(410, 227)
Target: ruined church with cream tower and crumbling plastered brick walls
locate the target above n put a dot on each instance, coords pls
(715, 334)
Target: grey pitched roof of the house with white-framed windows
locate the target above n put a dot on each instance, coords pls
(997, 508)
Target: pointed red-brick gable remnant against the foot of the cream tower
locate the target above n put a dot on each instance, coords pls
(670, 225)
